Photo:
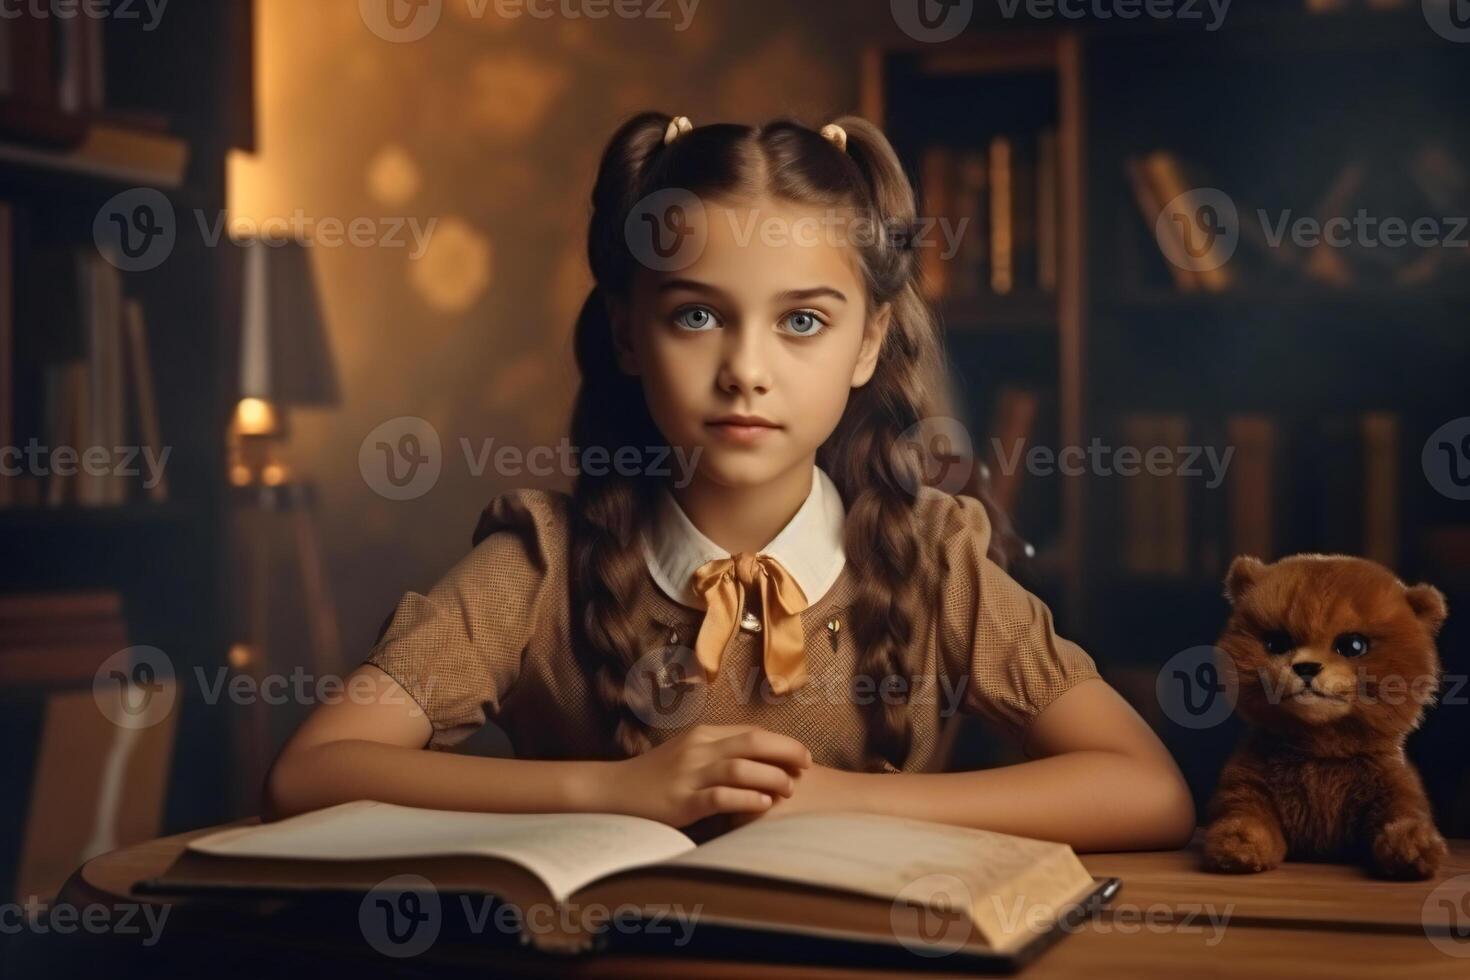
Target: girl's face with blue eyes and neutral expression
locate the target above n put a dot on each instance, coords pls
(771, 323)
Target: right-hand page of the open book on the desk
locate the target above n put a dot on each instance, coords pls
(886, 856)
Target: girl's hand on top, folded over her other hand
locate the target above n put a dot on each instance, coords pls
(709, 771)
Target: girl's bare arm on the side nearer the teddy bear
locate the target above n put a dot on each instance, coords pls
(1103, 782)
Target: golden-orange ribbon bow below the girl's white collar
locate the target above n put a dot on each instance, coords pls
(723, 583)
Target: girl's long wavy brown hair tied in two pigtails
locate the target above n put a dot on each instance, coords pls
(896, 571)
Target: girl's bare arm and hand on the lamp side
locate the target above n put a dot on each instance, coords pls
(371, 746)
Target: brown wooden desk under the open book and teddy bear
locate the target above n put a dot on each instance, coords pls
(1302, 920)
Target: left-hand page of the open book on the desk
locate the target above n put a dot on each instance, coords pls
(565, 851)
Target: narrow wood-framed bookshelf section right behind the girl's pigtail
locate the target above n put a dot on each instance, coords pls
(1028, 331)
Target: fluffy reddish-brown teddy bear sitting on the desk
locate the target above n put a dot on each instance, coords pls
(1335, 662)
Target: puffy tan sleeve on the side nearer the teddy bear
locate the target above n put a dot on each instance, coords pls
(996, 637)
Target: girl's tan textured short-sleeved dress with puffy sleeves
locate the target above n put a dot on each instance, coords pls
(490, 644)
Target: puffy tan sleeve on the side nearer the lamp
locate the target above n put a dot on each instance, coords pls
(458, 650)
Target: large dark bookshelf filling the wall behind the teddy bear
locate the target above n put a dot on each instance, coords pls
(1327, 378)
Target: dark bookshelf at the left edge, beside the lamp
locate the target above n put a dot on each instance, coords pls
(92, 109)
